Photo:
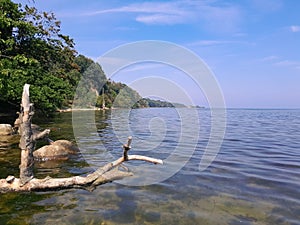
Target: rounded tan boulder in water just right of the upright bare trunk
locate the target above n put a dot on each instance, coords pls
(58, 150)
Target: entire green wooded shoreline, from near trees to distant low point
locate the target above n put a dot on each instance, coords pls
(33, 50)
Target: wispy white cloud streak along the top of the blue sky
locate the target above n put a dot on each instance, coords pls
(217, 17)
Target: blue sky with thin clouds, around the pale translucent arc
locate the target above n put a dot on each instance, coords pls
(251, 47)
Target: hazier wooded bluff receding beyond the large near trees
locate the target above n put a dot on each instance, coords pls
(95, 87)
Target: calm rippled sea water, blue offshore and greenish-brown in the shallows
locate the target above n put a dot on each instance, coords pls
(254, 179)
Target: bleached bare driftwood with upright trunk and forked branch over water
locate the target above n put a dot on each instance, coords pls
(27, 182)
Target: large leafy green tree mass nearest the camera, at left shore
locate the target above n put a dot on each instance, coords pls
(33, 50)
